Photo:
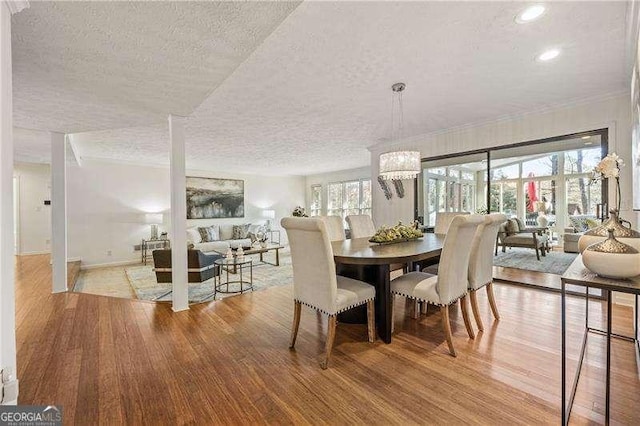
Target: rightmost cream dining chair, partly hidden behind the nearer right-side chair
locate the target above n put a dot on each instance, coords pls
(481, 264)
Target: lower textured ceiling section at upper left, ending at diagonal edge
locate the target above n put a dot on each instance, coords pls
(93, 65)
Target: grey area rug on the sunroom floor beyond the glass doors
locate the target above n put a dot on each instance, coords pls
(555, 262)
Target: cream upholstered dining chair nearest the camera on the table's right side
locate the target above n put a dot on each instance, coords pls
(451, 283)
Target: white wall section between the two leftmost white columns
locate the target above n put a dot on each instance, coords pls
(34, 218)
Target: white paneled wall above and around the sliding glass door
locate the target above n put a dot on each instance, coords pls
(613, 113)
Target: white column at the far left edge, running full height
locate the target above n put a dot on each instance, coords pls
(7, 277)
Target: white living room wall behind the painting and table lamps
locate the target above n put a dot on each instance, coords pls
(106, 203)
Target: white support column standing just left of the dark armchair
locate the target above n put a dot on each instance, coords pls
(179, 276)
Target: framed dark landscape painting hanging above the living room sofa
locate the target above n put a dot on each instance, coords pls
(209, 198)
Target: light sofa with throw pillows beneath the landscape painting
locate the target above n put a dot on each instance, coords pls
(219, 238)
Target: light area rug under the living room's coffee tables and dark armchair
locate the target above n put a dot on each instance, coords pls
(143, 281)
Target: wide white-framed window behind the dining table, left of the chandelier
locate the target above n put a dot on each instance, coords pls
(349, 198)
